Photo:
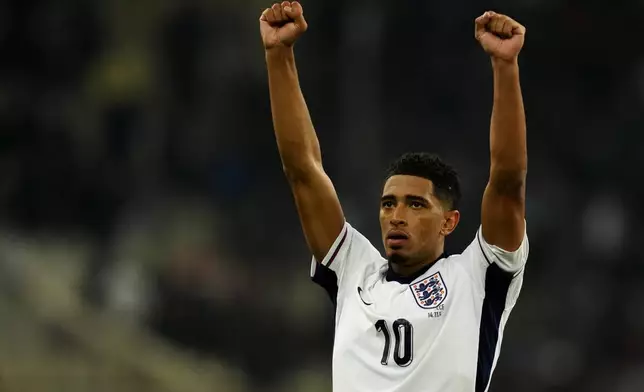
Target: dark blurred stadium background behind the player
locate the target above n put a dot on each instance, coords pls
(148, 240)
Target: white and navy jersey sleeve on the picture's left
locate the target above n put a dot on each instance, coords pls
(345, 259)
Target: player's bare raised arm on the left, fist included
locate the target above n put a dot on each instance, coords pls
(315, 197)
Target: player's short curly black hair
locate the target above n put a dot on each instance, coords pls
(447, 186)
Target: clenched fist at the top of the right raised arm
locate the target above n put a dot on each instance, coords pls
(500, 36)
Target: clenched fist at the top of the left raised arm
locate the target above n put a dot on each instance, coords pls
(282, 24)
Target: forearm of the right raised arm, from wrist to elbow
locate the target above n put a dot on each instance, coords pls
(508, 149)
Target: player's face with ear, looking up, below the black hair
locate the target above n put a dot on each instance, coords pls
(413, 220)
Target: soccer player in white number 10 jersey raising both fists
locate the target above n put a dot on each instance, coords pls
(415, 320)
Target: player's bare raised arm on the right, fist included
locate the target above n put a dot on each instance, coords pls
(503, 207)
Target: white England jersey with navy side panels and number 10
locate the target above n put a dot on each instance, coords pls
(437, 331)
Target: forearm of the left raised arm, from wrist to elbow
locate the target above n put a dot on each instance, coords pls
(296, 139)
